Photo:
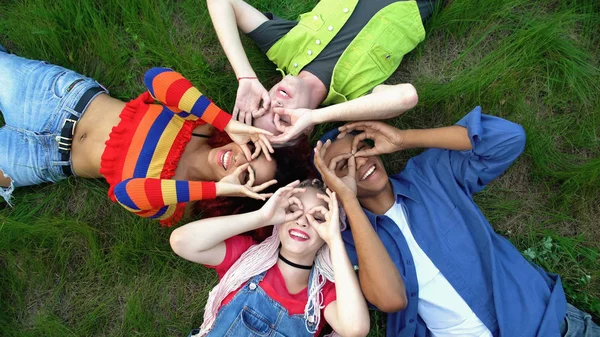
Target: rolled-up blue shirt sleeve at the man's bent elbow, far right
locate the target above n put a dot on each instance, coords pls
(496, 144)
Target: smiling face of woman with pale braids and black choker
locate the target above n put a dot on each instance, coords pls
(298, 237)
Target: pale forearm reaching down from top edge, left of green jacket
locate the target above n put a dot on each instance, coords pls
(224, 20)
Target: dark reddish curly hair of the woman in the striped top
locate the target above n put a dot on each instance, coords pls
(293, 163)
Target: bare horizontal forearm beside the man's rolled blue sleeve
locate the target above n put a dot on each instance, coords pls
(450, 138)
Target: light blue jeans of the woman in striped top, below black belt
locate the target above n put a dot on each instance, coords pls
(35, 99)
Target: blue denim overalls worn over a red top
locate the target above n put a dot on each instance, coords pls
(252, 313)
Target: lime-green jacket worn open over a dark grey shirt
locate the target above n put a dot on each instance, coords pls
(371, 57)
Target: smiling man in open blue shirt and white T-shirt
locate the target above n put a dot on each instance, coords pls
(459, 277)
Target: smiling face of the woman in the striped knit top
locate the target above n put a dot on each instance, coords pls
(225, 159)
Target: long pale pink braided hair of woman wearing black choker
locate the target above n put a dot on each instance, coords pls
(260, 258)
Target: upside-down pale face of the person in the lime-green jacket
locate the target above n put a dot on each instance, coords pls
(291, 92)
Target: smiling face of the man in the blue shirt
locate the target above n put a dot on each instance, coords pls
(371, 177)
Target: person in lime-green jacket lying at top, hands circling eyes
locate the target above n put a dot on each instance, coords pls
(340, 52)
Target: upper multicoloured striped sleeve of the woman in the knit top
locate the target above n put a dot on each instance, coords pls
(179, 95)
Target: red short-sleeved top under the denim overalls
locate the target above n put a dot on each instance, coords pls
(273, 283)
